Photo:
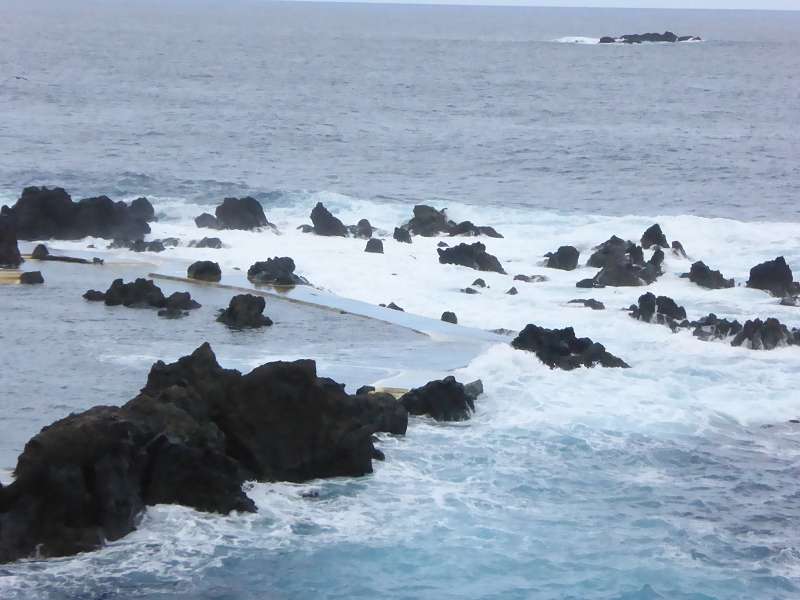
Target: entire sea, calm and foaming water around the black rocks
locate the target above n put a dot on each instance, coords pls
(675, 479)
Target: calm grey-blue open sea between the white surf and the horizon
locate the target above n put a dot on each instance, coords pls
(452, 104)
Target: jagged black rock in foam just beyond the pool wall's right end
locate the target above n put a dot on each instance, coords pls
(560, 348)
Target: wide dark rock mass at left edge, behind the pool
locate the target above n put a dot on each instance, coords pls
(42, 213)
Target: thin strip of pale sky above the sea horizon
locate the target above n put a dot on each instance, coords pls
(750, 4)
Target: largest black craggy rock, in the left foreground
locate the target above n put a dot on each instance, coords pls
(193, 435)
